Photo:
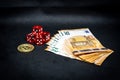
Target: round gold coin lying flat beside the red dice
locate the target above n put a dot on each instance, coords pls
(25, 48)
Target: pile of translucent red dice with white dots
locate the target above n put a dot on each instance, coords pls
(38, 36)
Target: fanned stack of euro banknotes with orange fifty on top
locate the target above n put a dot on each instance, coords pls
(78, 44)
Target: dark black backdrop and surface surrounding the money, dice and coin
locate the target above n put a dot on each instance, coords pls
(17, 19)
